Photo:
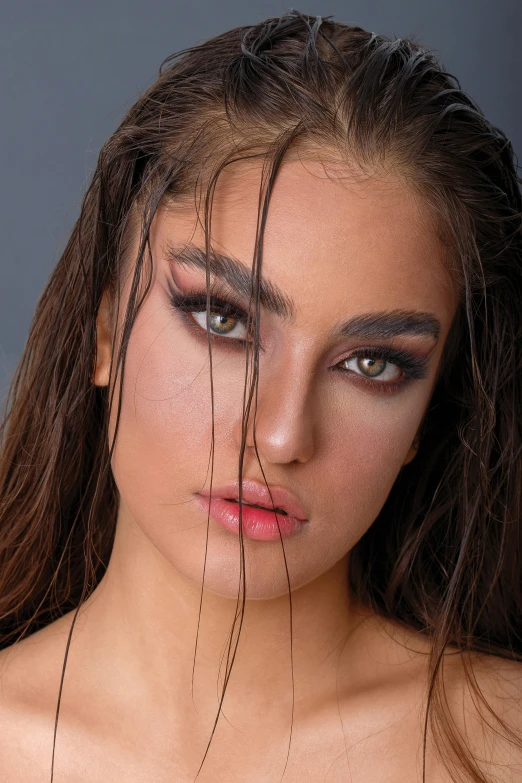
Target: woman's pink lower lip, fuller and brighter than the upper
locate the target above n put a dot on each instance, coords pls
(257, 523)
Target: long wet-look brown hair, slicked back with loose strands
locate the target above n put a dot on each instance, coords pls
(444, 554)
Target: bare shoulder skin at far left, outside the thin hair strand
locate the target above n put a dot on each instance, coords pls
(30, 673)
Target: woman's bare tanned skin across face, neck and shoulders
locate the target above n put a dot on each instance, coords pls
(338, 247)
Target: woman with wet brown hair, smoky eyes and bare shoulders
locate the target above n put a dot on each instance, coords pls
(270, 407)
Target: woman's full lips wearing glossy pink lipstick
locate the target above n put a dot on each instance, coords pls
(261, 514)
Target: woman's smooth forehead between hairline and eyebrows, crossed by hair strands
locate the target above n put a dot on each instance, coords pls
(331, 235)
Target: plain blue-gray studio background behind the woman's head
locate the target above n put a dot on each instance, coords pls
(69, 69)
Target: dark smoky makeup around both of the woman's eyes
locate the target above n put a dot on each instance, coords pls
(412, 366)
